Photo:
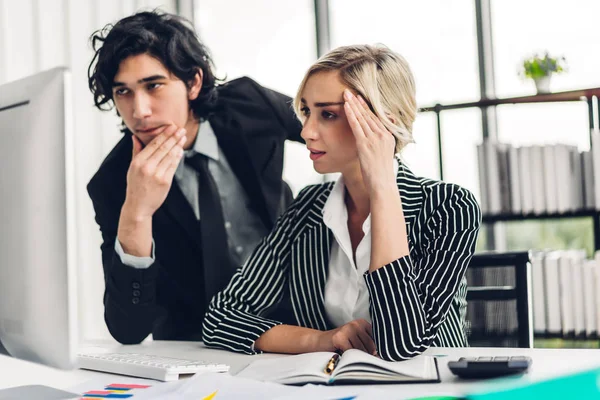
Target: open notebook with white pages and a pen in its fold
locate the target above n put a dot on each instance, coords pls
(353, 367)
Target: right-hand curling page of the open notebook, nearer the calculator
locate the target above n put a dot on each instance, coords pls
(355, 363)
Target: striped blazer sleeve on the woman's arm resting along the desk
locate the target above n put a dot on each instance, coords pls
(234, 319)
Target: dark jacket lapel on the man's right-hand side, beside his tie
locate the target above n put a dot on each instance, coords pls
(235, 147)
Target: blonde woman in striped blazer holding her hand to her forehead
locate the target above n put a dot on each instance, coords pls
(374, 261)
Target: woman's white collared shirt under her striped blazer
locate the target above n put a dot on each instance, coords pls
(346, 293)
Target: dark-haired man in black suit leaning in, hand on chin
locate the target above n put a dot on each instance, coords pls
(194, 184)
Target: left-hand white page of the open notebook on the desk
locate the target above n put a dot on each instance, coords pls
(300, 368)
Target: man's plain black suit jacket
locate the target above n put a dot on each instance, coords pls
(169, 298)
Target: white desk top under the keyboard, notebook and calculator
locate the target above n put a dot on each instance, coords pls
(546, 363)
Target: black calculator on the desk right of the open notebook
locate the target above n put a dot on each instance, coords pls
(489, 367)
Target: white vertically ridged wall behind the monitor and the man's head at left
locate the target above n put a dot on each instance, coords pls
(40, 34)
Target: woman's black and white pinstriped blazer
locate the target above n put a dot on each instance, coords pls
(416, 301)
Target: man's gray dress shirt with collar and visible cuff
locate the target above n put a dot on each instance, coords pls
(244, 227)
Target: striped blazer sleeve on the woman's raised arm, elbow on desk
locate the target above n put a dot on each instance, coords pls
(410, 298)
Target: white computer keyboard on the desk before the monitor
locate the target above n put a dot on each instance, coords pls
(146, 366)
